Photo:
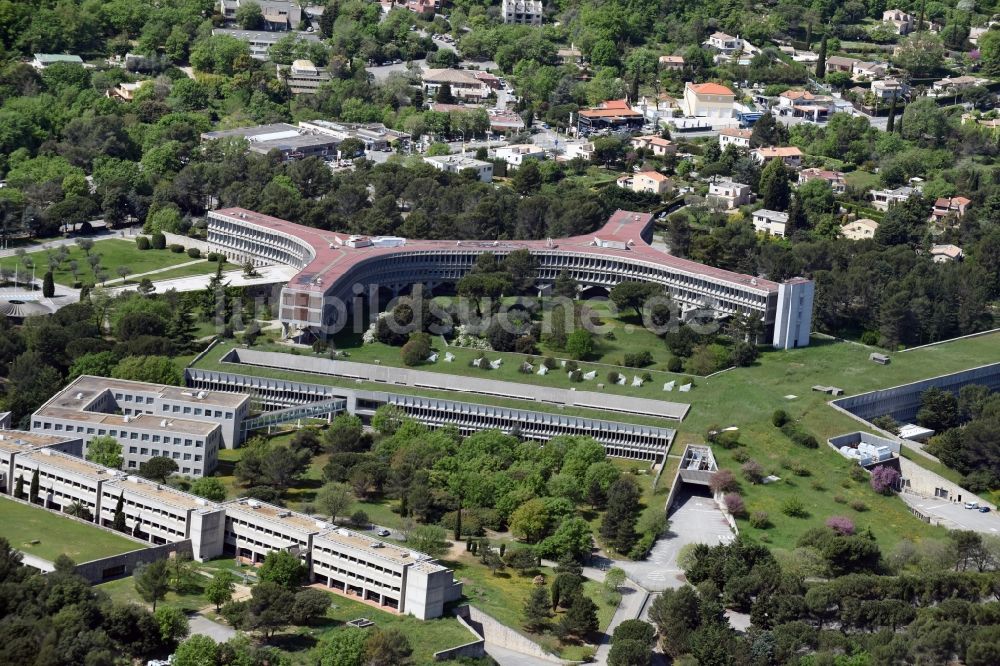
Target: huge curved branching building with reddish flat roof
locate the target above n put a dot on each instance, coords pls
(332, 272)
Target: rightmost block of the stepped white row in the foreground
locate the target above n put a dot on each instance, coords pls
(382, 573)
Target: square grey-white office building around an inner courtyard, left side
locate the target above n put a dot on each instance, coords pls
(148, 420)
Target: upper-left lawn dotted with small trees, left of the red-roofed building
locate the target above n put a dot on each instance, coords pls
(113, 252)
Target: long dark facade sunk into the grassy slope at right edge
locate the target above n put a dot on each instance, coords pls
(902, 402)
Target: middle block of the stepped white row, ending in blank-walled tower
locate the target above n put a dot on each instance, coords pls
(160, 514)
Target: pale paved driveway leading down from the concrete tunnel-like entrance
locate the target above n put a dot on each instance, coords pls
(695, 519)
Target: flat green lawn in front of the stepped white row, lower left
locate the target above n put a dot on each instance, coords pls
(57, 535)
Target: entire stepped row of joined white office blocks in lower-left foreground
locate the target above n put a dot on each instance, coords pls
(357, 565)
